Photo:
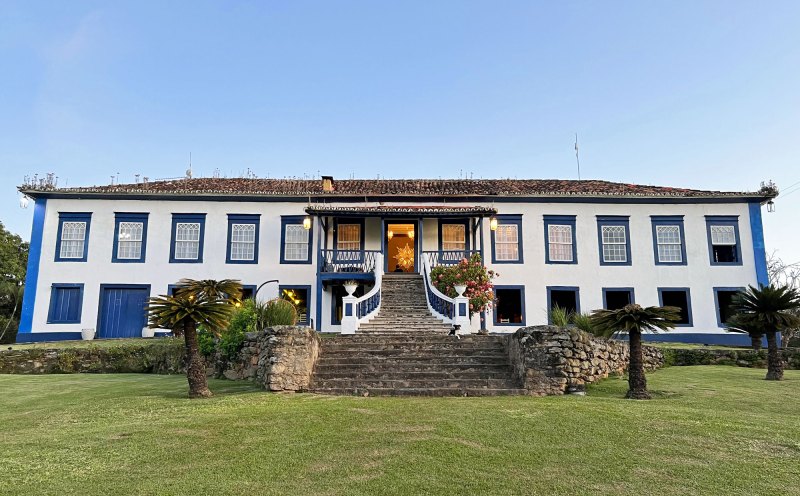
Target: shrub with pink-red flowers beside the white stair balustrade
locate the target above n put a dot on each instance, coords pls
(470, 273)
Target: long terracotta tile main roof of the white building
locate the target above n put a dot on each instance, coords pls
(386, 187)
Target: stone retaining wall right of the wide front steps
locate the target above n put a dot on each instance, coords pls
(548, 360)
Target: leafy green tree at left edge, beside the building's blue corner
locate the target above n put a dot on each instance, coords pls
(13, 265)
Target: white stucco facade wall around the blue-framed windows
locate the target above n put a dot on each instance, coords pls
(643, 275)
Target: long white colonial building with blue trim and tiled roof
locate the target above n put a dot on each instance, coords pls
(97, 253)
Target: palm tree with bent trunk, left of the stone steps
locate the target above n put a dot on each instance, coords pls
(193, 303)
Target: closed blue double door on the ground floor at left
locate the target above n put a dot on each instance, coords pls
(122, 311)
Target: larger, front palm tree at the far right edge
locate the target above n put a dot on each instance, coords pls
(772, 308)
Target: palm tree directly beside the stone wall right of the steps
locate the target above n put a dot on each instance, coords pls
(634, 320)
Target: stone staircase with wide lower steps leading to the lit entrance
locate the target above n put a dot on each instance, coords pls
(405, 351)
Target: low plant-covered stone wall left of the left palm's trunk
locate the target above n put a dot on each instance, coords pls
(157, 357)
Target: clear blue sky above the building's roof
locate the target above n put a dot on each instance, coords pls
(696, 94)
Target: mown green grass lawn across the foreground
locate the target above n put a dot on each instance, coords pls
(710, 430)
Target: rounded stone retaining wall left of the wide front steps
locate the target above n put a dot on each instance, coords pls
(281, 358)
